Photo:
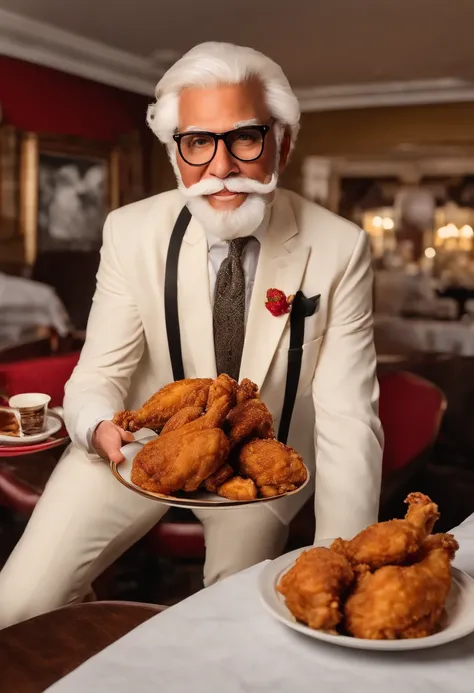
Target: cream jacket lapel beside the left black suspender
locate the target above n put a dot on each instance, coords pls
(194, 304)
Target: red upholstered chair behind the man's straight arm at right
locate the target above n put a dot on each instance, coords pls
(411, 411)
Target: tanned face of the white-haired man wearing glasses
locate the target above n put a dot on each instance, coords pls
(220, 109)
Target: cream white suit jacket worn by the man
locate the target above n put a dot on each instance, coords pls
(335, 426)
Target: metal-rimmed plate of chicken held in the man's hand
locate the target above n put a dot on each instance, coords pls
(197, 499)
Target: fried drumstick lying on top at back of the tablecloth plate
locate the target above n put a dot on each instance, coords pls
(394, 541)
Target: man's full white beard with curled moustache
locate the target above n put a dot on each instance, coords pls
(234, 223)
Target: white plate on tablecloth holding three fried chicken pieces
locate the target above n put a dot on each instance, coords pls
(458, 620)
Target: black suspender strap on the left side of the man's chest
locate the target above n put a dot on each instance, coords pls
(171, 293)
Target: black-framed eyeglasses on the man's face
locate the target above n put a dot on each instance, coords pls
(198, 148)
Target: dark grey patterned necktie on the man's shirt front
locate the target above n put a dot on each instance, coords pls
(229, 310)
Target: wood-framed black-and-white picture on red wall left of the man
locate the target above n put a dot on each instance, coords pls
(67, 187)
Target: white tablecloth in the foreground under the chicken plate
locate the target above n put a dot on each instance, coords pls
(222, 641)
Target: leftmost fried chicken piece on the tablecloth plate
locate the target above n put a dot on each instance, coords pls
(314, 586)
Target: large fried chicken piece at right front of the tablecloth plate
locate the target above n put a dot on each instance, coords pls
(399, 602)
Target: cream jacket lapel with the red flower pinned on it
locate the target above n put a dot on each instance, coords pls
(278, 267)
